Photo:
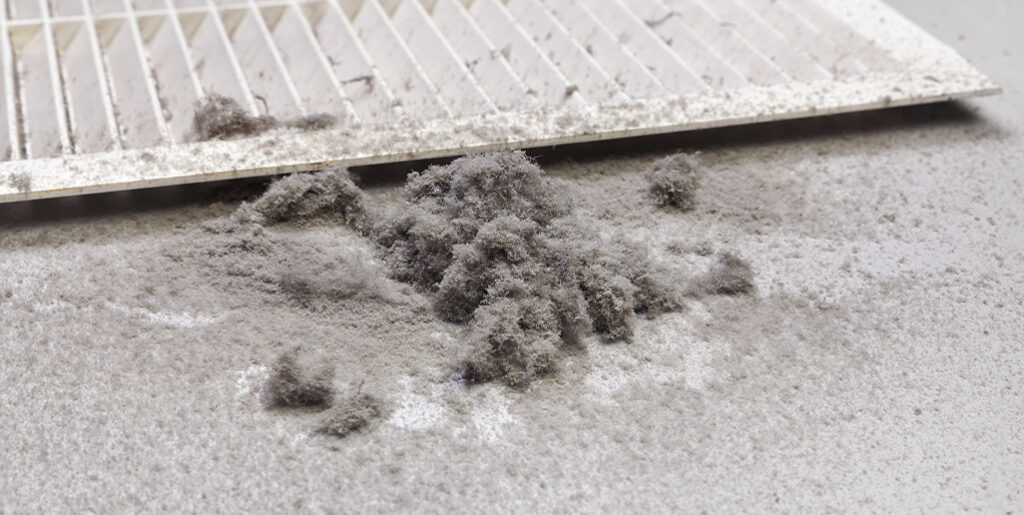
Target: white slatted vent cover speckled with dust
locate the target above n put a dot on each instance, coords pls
(99, 95)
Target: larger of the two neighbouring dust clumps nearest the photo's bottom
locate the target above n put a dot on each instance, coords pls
(292, 387)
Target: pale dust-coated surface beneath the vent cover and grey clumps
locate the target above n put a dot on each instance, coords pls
(876, 369)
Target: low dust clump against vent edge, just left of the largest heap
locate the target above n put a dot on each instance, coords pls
(331, 193)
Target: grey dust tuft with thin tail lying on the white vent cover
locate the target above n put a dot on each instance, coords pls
(223, 118)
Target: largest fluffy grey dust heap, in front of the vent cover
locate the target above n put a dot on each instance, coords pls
(496, 244)
